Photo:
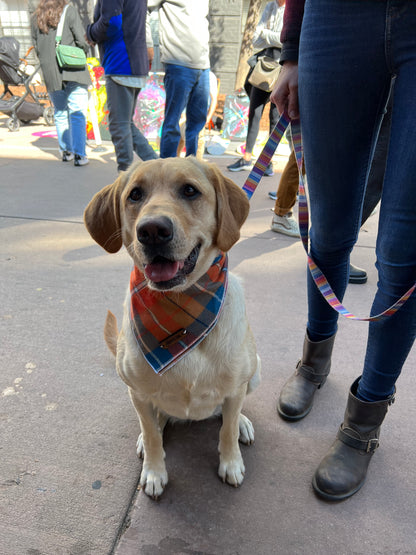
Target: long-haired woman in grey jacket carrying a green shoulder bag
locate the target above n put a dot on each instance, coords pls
(68, 89)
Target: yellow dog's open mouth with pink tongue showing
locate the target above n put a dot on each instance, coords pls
(170, 272)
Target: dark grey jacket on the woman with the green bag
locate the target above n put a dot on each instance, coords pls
(72, 35)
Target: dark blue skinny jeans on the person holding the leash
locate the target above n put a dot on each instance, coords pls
(345, 74)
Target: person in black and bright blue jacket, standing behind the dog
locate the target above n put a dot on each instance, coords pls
(119, 30)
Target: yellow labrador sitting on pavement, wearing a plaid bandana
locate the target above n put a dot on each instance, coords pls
(185, 348)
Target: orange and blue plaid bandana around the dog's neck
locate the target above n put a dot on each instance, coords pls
(168, 324)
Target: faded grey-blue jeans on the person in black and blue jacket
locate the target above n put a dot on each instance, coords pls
(126, 138)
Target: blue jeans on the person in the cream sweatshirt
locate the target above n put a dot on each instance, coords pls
(185, 88)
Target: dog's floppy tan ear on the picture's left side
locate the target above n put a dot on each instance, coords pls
(102, 216)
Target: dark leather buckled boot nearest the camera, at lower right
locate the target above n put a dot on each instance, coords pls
(343, 470)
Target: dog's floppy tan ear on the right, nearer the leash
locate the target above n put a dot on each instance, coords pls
(232, 209)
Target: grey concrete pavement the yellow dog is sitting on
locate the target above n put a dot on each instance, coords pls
(68, 467)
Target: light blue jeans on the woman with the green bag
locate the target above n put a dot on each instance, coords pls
(71, 106)
